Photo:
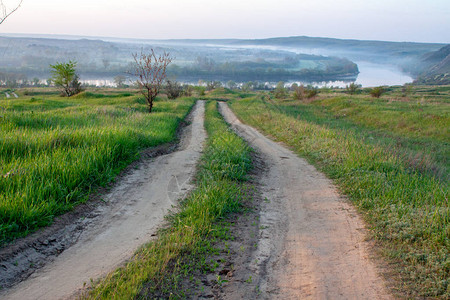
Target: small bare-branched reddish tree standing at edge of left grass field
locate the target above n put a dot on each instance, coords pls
(150, 70)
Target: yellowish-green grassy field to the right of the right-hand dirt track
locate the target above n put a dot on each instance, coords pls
(390, 158)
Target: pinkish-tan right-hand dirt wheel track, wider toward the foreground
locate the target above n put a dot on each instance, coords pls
(311, 241)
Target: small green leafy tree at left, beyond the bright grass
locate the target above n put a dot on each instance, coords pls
(65, 77)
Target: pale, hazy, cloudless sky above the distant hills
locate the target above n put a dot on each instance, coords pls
(390, 20)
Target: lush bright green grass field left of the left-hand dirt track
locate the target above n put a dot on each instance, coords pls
(54, 150)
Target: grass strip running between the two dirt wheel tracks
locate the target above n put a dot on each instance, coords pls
(156, 270)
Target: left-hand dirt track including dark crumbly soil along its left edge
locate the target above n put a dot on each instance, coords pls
(58, 262)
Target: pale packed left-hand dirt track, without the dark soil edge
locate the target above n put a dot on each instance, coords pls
(137, 208)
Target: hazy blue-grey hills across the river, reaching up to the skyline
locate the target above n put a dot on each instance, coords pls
(300, 58)
